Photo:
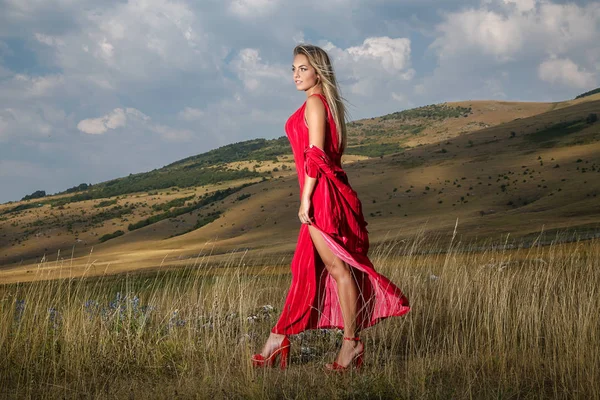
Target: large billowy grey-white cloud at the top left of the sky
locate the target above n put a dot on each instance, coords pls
(135, 41)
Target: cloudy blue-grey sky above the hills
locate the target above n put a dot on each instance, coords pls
(92, 90)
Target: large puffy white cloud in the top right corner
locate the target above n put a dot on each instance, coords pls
(509, 33)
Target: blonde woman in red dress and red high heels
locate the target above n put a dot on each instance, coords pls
(334, 283)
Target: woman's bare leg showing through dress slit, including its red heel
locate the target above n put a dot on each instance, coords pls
(347, 292)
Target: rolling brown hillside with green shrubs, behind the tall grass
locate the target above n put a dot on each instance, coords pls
(498, 167)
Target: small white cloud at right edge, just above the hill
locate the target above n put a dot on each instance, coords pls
(566, 72)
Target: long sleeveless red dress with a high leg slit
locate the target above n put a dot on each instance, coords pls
(312, 301)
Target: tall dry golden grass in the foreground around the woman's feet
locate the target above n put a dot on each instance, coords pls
(496, 323)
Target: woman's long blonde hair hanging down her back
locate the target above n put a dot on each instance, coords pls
(319, 60)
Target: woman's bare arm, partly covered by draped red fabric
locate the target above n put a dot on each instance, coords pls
(315, 118)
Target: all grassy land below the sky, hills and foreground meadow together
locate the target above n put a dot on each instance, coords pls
(163, 284)
